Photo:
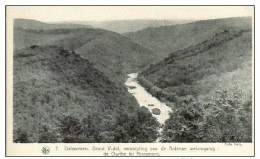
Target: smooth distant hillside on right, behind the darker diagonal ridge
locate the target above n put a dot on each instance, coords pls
(167, 39)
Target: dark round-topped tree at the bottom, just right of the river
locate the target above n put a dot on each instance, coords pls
(185, 124)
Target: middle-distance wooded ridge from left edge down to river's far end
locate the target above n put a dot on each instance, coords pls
(109, 52)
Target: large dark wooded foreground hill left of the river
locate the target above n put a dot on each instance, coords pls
(60, 97)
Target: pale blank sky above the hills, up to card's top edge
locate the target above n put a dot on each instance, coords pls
(106, 13)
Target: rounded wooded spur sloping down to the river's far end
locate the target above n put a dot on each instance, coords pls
(111, 53)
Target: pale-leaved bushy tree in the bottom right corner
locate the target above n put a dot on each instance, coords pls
(229, 119)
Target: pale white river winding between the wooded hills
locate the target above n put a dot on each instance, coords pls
(144, 98)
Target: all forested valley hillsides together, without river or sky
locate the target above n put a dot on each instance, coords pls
(69, 82)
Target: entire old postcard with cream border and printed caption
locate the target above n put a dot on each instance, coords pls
(124, 80)
